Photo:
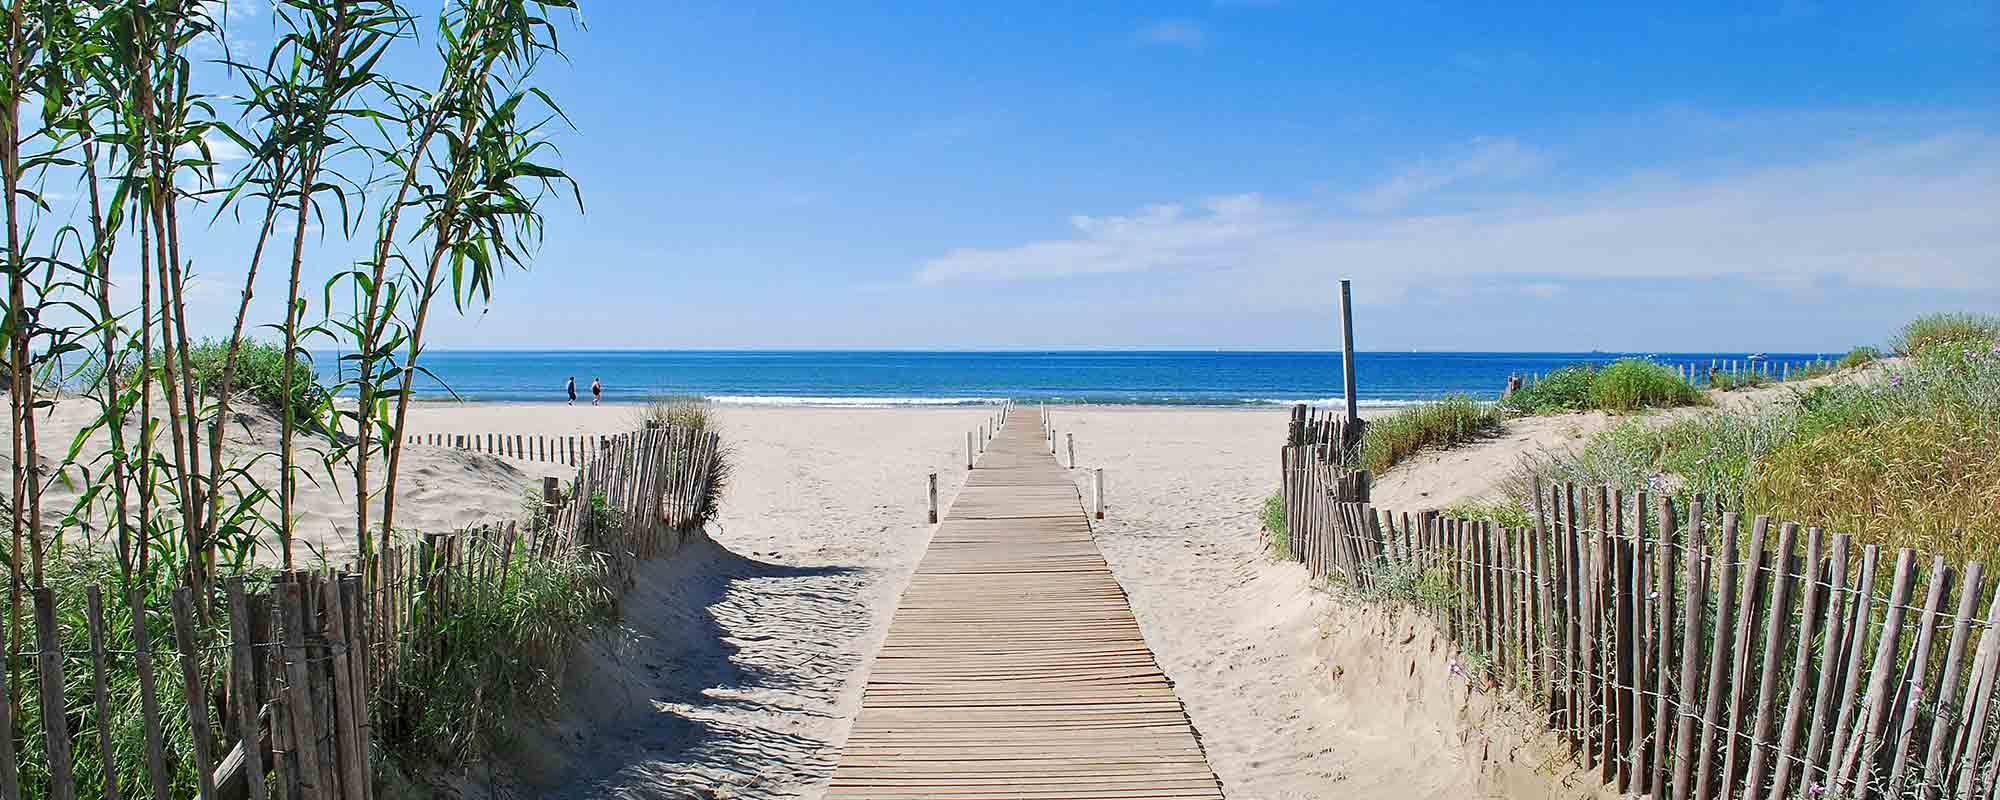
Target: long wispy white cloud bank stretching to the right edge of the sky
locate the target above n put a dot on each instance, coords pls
(1909, 215)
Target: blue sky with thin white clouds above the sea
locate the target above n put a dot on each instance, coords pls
(1783, 177)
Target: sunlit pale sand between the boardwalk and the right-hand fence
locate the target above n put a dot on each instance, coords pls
(1295, 693)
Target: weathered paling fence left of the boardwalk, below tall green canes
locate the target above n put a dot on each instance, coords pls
(313, 665)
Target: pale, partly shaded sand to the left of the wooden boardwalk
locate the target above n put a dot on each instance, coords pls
(739, 665)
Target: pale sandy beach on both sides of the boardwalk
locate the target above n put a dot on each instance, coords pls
(739, 665)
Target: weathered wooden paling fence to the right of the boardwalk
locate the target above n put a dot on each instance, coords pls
(1687, 653)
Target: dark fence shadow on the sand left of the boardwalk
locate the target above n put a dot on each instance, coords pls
(721, 681)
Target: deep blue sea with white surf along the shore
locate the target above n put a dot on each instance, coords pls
(889, 379)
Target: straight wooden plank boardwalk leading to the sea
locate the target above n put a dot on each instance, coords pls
(1015, 667)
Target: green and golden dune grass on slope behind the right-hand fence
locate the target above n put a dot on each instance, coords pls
(1905, 461)
